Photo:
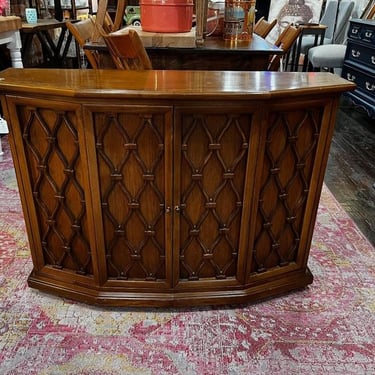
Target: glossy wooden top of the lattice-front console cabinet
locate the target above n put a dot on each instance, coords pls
(169, 83)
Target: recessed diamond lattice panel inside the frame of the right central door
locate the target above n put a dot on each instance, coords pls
(214, 150)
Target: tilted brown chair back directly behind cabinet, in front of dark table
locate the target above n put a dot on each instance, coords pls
(127, 50)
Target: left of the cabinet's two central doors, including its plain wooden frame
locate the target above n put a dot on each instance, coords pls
(131, 162)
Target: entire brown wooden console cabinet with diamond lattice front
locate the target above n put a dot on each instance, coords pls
(169, 188)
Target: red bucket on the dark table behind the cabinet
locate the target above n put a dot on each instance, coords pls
(166, 16)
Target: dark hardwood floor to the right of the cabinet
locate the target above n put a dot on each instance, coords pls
(350, 173)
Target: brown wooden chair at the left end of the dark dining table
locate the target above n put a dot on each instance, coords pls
(82, 32)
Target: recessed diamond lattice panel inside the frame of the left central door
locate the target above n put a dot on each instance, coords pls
(130, 148)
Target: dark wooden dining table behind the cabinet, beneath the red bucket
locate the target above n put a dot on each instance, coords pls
(213, 54)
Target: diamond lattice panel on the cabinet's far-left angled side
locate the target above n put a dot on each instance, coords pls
(52, 152)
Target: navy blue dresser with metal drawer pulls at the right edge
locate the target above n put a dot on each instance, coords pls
(359, 64)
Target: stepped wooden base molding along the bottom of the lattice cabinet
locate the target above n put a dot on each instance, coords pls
(103, 297)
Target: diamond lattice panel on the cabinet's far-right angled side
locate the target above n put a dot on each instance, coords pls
(286, 176)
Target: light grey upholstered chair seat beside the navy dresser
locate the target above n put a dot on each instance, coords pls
(327, 56)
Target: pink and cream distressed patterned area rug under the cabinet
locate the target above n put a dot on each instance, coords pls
(328, 328)
